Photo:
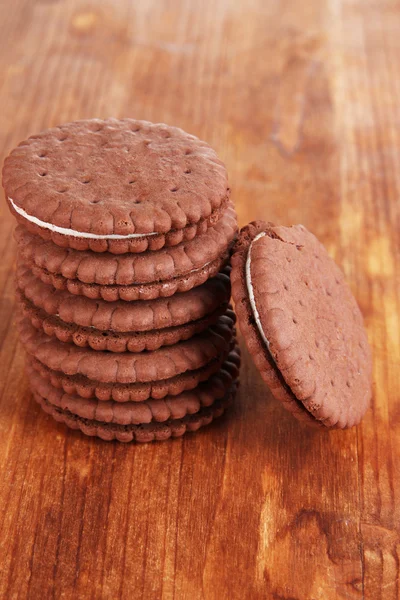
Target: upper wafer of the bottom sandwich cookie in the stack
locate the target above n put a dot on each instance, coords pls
(136, 413)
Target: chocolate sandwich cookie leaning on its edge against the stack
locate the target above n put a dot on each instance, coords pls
(301, 324)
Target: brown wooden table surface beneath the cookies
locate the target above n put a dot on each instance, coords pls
(301, 99)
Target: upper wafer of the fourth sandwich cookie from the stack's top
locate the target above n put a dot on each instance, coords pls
(126, 367)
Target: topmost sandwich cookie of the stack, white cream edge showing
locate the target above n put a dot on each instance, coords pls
(115, 185)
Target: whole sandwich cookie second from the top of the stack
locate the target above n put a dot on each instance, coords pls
(146, 276)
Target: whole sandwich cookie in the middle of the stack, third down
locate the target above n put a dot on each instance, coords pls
(121, 326)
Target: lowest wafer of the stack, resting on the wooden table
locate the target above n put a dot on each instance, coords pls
(140, 433)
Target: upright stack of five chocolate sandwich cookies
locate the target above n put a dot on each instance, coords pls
(124, 238)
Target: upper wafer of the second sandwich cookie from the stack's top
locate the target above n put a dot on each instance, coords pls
(127, 269)
